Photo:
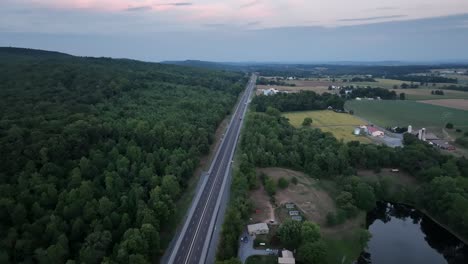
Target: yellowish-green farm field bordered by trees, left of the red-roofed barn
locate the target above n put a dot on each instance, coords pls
(340, 125)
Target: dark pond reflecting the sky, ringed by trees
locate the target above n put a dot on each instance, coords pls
(401, 234)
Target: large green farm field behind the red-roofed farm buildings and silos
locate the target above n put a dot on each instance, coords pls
(403, 113)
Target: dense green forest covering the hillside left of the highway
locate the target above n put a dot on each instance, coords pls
(94, 152)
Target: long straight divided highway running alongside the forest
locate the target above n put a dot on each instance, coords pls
(192, 243)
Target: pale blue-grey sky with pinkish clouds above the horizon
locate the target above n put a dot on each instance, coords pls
(241, 30)
